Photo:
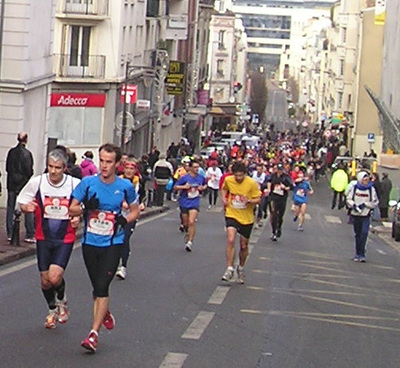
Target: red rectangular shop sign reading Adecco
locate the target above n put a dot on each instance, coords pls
(78, 99)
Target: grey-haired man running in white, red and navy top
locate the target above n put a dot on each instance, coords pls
(48, 196)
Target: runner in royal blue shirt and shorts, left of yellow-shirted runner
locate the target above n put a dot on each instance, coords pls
(190, 186)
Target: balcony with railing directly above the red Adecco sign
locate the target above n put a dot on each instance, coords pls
(79, 66)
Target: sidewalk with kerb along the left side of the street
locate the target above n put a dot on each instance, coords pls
(10, 253)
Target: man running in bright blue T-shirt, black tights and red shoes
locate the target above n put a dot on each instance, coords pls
(100, 199)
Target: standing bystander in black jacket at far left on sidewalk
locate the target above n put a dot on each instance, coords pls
(19, 167)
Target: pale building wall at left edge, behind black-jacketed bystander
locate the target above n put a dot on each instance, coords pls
(26, 75)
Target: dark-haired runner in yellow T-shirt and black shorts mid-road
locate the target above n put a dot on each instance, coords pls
(240, 194)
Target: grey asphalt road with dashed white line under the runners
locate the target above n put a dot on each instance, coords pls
(305, 303)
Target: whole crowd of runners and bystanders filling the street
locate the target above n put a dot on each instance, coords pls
(254, 184)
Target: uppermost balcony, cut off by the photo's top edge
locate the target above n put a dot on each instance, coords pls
(83, 8)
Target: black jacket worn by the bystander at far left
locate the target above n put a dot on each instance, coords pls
(19, 167)
